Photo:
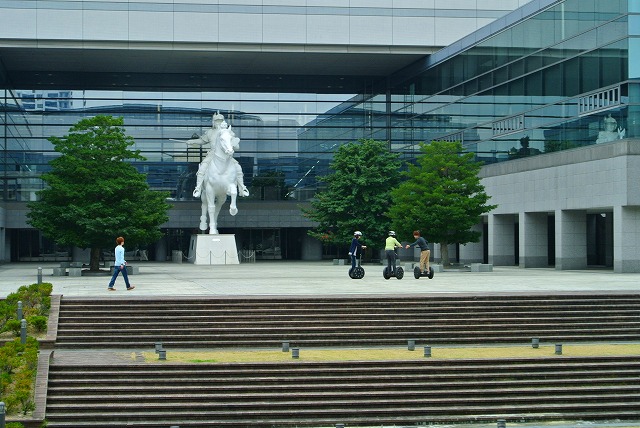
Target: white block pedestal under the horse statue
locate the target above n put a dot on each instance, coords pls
(213, 250)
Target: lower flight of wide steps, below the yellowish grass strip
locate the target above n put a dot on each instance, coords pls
(305, 394)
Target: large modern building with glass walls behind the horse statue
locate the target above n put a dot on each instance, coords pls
(544, 92)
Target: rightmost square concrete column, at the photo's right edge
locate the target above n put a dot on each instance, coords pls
(626, 239)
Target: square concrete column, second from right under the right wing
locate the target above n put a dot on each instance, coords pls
(571, 239)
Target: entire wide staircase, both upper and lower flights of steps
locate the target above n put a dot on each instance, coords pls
(94, 392)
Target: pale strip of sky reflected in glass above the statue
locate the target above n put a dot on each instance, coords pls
(301, 108)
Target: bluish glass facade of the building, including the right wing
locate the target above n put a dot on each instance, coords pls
(550, 76)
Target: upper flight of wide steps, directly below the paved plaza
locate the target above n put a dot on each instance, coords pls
(357, 321)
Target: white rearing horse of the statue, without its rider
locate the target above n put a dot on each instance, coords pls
(221, 179)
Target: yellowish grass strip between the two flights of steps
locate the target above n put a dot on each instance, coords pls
(387, 354)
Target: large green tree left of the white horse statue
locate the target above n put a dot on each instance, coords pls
(93, 195)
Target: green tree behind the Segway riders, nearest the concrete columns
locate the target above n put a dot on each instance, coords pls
(442, 197)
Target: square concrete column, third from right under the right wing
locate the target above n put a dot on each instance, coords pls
(534, 240)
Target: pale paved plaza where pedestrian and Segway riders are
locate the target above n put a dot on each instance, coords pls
(275, 278)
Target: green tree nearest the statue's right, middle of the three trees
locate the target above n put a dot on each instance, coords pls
(357, 194)
